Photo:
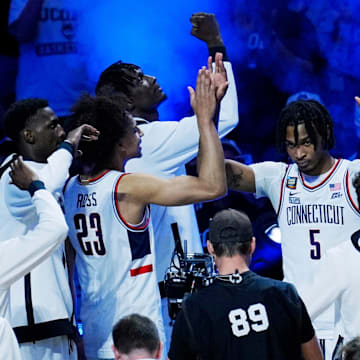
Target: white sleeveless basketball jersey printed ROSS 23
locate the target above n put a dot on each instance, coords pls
(114, 260)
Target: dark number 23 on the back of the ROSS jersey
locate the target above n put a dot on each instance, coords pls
(88, 247)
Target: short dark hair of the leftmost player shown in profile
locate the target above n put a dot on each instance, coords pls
(19, 113)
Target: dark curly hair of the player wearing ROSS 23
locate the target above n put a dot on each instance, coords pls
(108, 116)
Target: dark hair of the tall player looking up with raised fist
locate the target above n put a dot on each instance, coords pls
(117, 79)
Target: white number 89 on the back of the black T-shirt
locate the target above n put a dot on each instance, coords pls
(241, 325)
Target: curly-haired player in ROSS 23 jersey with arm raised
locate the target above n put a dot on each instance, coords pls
(108, 215)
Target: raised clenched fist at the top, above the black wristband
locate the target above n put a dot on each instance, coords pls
(206, 28)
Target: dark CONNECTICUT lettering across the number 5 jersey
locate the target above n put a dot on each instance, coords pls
(315, 213)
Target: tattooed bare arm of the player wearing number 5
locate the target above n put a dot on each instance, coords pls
(239, 177)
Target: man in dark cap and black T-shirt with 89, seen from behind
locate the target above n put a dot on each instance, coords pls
(241, 313)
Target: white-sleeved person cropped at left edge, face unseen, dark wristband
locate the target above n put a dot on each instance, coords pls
(19, 255)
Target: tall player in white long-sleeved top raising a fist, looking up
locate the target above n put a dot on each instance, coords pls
(168, 145)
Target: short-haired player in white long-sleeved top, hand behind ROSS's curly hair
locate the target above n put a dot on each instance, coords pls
(41, 303)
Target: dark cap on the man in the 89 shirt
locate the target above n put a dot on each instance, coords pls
(230, 225)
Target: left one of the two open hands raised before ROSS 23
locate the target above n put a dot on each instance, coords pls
(203, 100)
